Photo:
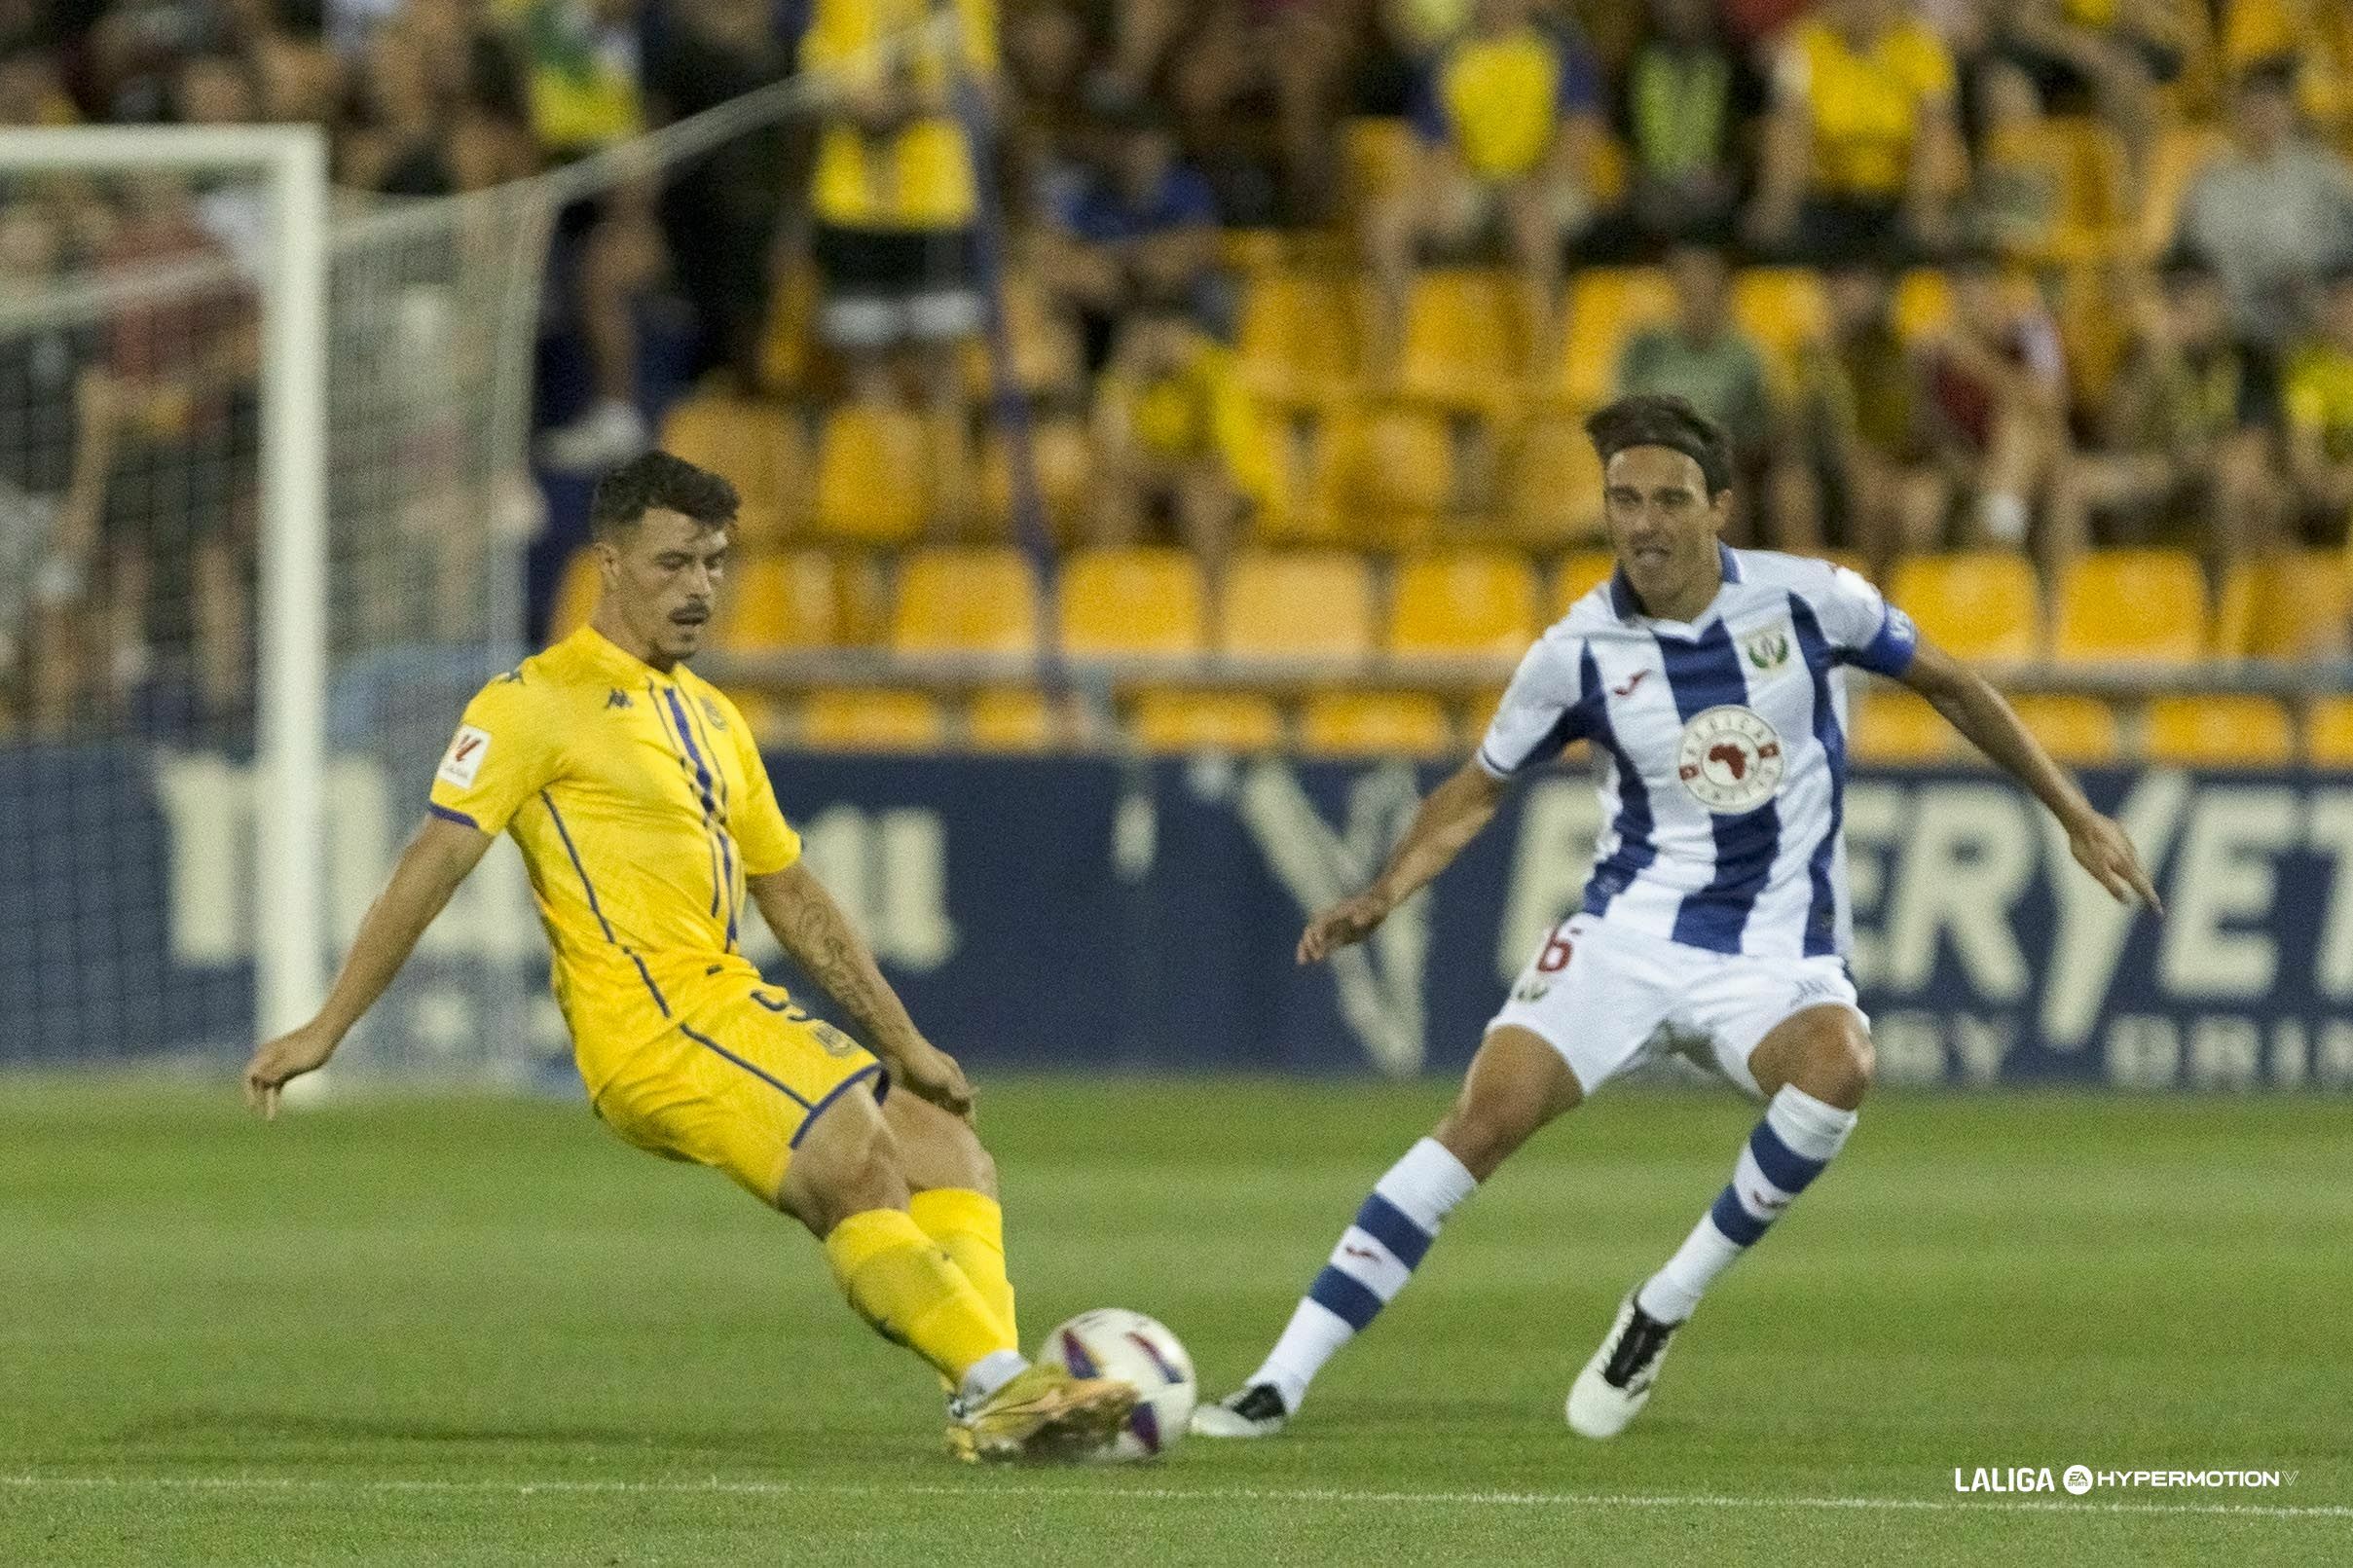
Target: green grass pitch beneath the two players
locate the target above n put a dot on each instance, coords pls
(484, 1332)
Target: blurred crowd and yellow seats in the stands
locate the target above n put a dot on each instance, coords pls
(2008, 279)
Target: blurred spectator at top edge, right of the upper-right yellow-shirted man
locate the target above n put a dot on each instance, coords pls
(2098, 55)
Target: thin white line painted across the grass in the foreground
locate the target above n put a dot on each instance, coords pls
(1171, 1494)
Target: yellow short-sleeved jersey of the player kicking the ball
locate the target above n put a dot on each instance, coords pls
(641, 808)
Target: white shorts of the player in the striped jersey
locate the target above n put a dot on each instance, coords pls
(1613, 1000)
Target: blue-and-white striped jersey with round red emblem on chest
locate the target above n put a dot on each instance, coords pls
(1721, 749)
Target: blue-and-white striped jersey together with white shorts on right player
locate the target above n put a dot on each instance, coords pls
(1719, 894)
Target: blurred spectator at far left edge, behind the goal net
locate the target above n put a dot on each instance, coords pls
(53, 476)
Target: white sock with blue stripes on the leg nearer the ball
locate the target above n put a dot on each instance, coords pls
(1371, 1266)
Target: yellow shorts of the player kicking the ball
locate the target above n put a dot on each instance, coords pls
(735, 1083)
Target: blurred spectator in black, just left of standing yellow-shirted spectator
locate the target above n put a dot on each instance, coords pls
(721, 213)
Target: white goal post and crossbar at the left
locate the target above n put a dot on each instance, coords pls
(291, 170)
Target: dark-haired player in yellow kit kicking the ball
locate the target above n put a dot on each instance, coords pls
(648, 822)
